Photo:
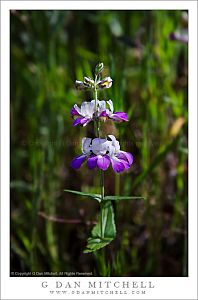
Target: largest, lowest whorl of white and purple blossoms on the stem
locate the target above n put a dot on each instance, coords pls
(101, 153)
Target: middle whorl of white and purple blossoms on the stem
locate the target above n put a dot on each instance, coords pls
(96, 109)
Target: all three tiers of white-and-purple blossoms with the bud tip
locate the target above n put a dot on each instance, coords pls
(99, 152)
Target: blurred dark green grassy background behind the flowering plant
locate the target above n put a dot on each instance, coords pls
(49, 228)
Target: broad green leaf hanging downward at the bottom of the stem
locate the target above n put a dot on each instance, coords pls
(104, 231)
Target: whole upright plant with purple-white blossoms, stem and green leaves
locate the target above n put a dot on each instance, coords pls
(100, 152)
